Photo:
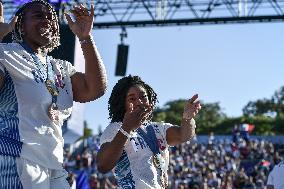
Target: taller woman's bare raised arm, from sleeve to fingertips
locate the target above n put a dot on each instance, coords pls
(92, 84)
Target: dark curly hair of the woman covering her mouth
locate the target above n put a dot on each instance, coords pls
(116, 103)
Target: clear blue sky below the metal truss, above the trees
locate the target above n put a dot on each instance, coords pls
(230, 64)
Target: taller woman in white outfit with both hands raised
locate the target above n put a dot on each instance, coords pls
(37, 93)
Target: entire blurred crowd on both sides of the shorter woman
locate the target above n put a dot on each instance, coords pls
(232, 163)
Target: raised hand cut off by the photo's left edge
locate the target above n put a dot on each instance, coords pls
(5, 28)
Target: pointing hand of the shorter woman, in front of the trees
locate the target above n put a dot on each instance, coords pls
(191, 108)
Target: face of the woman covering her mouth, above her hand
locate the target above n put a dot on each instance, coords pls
(137, 96)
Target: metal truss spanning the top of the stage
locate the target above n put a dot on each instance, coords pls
(150, 13)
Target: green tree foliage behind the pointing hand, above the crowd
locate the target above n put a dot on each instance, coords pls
(266, 114)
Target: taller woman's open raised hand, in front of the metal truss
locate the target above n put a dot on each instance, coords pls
(83, 23)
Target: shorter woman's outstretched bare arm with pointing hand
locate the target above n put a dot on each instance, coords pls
(177, 135)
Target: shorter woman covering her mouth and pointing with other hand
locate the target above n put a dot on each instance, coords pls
(134, 146)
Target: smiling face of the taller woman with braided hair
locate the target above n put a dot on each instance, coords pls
(39, 25)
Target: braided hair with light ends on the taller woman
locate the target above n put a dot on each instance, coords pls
(17, 33)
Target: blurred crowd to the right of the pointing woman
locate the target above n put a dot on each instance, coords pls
(222, 164)
